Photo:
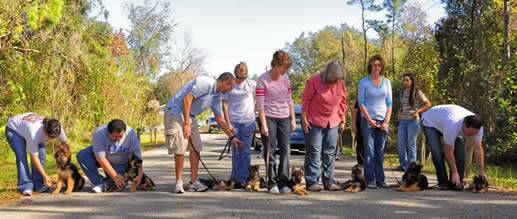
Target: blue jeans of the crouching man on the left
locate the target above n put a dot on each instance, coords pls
(89, 164)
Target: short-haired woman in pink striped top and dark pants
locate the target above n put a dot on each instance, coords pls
(276, 113)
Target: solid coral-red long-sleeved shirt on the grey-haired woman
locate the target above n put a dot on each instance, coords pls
(324, 105)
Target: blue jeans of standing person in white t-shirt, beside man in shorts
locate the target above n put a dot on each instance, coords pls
(241, 156)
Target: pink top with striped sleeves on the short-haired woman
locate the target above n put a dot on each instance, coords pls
(274, 97)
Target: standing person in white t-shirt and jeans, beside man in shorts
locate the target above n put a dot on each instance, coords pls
(239, 112)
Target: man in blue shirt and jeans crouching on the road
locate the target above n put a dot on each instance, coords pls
(112, 143)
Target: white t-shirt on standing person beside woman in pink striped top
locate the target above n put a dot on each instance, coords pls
(241, 107)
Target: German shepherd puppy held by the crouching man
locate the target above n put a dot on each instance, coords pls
(146, 184)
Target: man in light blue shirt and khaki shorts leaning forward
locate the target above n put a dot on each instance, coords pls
(180, 123)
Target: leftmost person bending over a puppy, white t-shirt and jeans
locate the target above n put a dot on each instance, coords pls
(31, 131)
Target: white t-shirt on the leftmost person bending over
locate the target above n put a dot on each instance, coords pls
(30, 127)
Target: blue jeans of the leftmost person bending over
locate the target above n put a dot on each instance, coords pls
(25, 179)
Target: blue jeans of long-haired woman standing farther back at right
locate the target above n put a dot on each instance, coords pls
(408, 132)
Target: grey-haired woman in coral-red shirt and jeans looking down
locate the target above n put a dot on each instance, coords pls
(323, 113)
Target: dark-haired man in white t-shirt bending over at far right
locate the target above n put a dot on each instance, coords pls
(451, 122)
